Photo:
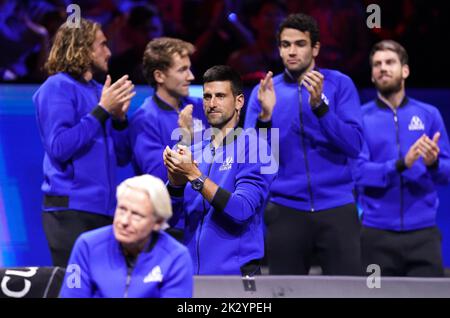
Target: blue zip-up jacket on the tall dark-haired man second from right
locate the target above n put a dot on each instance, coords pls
(314, 146)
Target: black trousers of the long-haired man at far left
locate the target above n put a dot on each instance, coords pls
(62, 228)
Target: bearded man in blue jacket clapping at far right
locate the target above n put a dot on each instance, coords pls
(405, 157)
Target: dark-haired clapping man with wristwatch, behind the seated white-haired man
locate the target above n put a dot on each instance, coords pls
(230, 173)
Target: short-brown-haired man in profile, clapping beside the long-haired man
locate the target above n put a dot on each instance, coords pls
(170, 116)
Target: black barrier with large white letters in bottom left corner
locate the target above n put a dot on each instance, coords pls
(31, 282)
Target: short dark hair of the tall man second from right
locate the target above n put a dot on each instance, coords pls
(301, 22)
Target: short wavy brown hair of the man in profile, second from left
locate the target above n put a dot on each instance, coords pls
(158, 55)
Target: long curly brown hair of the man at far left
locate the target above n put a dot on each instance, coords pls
(72, 49)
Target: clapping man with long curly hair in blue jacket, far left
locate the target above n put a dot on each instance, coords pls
(83, 130)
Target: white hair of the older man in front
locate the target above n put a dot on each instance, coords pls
(156, 190)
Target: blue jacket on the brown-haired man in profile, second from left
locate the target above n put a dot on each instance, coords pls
(151, 129)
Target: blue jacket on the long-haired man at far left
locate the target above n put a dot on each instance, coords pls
(82, 146)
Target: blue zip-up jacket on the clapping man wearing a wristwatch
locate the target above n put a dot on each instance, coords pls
(228, 233)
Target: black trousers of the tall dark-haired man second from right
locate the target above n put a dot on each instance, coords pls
(296, 238)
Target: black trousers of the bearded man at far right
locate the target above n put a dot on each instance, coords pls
(411, 253)
